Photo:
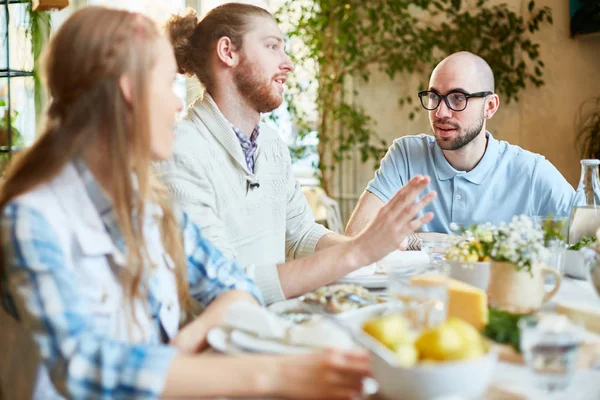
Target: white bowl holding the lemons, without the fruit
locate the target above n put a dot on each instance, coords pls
(467, 379)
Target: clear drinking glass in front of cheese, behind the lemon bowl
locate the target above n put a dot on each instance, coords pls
(429, 299)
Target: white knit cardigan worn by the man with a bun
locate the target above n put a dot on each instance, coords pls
(260, 226)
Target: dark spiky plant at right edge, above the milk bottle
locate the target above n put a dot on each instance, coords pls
(587, 128)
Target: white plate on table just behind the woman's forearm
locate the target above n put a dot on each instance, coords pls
(235, 342)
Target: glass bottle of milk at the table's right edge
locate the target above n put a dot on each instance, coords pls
(585, 208)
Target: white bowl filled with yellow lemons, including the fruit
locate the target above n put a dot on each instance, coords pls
(450, 359)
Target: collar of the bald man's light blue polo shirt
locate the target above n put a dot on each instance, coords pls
(477, 175)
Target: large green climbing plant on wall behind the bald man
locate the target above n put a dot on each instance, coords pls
(351, 39)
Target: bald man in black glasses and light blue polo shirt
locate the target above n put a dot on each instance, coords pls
(477, 177)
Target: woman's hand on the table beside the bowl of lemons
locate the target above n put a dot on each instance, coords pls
(328, 374)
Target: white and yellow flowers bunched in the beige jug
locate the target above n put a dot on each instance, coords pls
(518, 242)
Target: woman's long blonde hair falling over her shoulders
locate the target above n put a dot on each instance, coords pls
(84, 63)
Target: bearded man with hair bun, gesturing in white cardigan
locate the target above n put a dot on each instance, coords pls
(233, 176)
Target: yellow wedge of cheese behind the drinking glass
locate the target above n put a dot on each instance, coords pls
(465, 301)
